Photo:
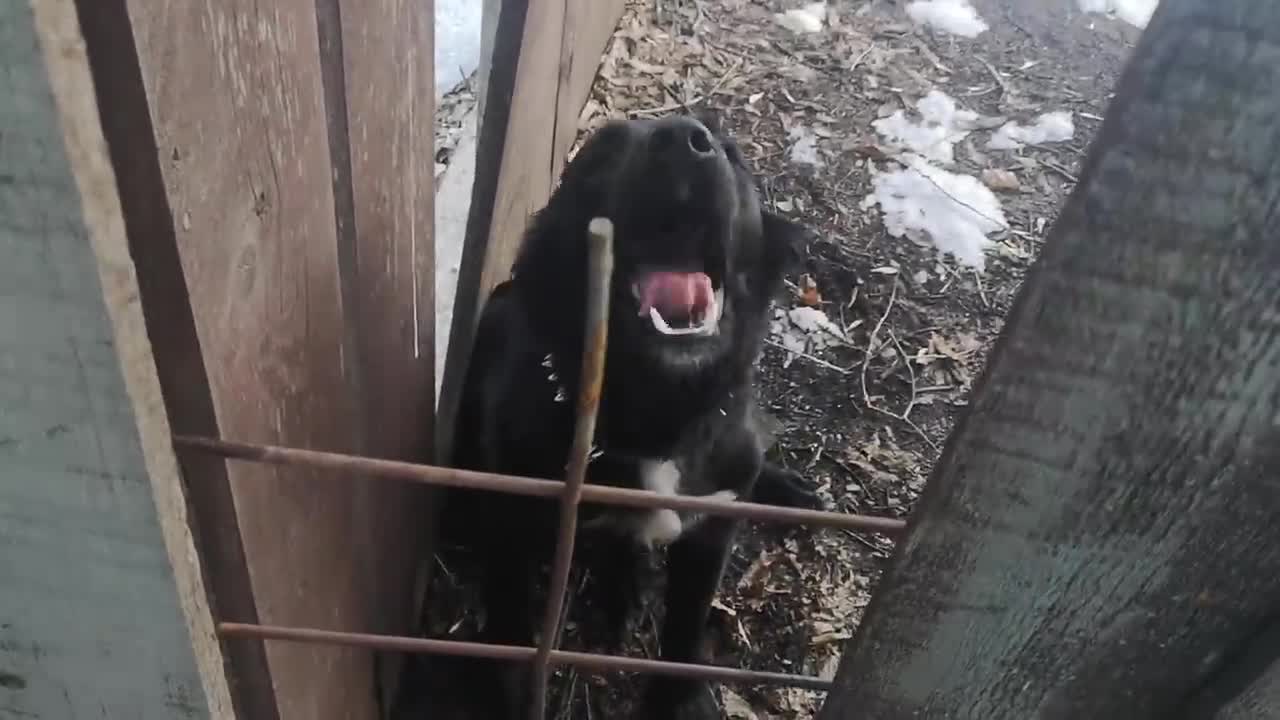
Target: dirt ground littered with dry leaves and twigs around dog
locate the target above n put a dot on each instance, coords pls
(867, 416)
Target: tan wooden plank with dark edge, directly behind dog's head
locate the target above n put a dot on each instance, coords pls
(545, 58)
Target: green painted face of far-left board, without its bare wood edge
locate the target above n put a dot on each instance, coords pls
(92, 625)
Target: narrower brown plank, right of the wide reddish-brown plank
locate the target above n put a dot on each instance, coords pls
(387, 62)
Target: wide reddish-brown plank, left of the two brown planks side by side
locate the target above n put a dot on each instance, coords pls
(240, 121)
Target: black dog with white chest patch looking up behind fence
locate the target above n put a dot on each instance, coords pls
(697, 262)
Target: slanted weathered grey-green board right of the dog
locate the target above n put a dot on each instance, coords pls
(1100, 535)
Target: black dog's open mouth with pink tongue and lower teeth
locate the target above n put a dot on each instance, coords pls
(680, 303)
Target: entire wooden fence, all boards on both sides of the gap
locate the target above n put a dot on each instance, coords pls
(236, 241)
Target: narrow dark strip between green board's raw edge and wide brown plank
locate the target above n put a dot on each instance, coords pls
(175, 343)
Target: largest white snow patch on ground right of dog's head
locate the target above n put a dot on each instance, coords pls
(954, 212)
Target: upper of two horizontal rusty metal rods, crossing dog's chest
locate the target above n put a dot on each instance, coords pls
(515, 485)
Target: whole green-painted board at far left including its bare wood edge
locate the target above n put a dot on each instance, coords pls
(94, 619)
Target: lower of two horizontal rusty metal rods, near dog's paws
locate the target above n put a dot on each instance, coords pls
(520, 654)
